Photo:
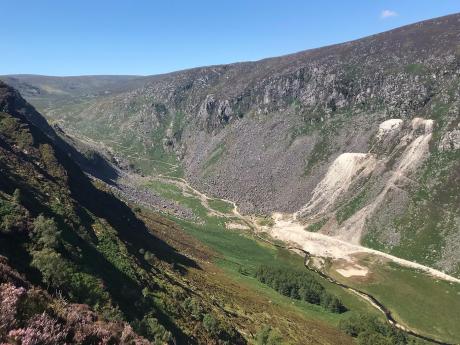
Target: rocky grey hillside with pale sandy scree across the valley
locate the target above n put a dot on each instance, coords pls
(271, 134)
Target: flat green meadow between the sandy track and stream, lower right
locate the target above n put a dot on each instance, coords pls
(428, 306)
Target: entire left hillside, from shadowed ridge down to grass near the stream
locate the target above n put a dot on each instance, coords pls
(79, 265)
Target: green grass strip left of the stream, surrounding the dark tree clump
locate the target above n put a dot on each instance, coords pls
(240, 251)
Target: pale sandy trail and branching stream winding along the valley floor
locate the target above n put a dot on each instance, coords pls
(310, 245)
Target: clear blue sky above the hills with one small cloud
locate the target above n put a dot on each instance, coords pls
(148, 37)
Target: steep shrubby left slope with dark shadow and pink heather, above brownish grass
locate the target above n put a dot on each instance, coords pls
(83, 245)
